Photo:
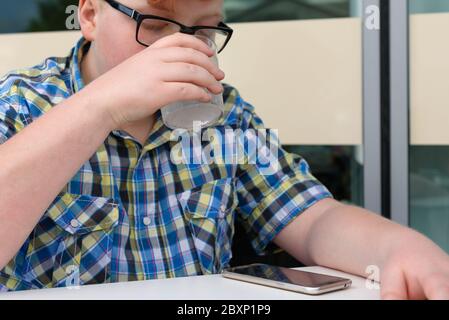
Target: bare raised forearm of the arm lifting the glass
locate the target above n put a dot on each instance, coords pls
(38, 162)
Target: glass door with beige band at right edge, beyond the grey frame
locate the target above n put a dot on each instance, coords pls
(429, 134)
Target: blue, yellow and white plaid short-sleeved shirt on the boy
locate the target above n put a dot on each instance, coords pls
(130, 213)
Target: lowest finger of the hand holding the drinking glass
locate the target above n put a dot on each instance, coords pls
(182, 91)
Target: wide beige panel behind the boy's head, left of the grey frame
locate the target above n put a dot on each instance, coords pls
(303, 77)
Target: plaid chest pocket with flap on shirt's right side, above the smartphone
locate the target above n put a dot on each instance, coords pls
(210, 214)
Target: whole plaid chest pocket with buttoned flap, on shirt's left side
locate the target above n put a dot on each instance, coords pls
(72, 243)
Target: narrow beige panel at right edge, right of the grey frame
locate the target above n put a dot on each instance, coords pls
(429, 79)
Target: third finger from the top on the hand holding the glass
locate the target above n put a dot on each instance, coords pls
(185, 72)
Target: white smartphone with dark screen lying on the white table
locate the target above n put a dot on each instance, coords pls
(287, 279)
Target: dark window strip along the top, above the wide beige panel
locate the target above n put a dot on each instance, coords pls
(50, 15)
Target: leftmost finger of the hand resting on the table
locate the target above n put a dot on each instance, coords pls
(393, 285)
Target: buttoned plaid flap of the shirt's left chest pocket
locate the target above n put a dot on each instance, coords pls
(83, 213)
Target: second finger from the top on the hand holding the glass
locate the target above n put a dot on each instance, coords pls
(191, 56)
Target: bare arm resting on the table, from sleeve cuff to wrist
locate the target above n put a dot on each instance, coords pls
(346, 238)
